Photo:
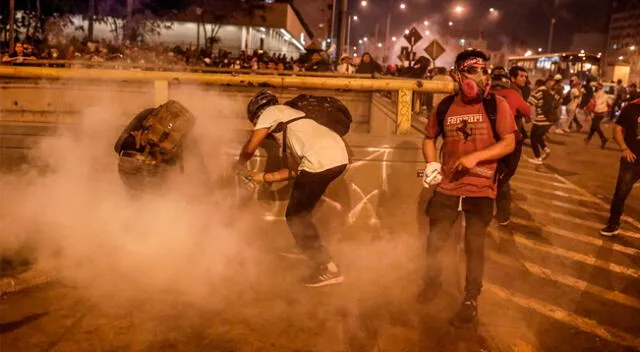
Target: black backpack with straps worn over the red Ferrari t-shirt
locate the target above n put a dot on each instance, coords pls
(490, 105)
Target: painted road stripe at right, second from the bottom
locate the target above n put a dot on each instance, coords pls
(567, 280)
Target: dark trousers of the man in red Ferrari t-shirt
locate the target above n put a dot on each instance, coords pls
(443, 213)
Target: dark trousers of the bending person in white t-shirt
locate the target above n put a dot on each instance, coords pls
(308, 188)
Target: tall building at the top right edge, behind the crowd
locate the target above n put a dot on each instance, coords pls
(623, 43)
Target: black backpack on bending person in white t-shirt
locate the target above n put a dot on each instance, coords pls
(327, 111)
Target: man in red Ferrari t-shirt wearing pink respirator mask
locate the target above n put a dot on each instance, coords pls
(466, 179)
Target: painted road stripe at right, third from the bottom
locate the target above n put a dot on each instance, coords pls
(621, 269)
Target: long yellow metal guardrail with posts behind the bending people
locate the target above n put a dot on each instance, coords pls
(162, 79)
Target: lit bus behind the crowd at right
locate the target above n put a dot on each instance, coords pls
(567, 64)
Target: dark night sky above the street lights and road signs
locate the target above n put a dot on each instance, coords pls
(523, 21)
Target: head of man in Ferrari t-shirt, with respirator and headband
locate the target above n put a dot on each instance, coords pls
(471, 74)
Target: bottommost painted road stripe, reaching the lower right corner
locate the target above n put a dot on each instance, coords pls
(567, 317)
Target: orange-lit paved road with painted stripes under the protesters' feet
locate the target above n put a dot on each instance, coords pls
(552, 284)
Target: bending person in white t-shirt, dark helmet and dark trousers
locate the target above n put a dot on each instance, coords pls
(316, 155)
